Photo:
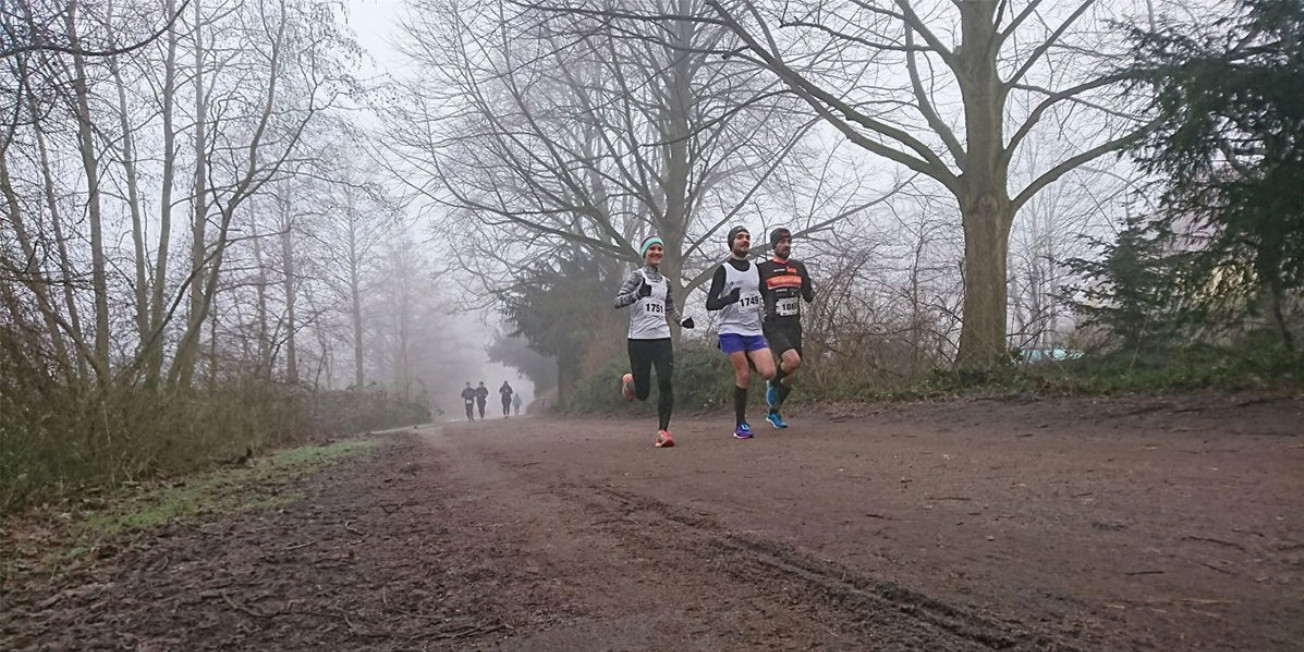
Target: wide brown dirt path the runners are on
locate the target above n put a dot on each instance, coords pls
(1121, 525)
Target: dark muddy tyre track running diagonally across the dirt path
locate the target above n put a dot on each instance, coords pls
(881, 612)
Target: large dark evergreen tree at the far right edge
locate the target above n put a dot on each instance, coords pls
(1230, 149)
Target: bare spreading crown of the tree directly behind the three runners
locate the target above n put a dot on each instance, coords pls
(548, 130)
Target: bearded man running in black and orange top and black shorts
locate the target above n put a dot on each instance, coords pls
(784, 284)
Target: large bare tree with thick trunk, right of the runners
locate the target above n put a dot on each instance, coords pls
(951, 91)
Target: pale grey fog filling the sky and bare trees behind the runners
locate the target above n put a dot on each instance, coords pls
(372, 196)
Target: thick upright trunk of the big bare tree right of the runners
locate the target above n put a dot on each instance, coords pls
(985, 205)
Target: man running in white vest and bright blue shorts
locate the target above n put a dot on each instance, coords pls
(736, 293)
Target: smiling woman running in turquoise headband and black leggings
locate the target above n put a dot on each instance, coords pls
(649, 293)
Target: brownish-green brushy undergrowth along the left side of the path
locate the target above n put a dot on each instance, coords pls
(70, 439)
